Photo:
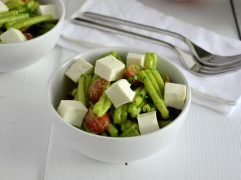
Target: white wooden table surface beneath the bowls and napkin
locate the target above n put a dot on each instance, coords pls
(209, 145)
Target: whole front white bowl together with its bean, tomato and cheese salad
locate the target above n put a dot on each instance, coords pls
(118, 104)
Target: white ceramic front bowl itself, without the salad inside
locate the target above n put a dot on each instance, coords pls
(110, 149)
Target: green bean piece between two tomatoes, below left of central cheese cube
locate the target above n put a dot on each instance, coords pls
(102, 106)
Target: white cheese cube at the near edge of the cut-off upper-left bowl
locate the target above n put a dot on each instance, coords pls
(12, 36)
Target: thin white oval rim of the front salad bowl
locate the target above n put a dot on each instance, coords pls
(103, 50)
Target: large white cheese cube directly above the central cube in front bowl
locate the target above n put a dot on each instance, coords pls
(109, 68)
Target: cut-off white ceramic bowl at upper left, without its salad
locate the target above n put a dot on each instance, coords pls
(19, 55)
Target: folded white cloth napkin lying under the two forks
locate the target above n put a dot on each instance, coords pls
(220, 93)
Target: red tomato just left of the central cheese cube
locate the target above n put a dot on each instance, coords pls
(97, 88)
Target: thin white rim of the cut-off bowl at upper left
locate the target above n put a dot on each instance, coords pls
(59, 23)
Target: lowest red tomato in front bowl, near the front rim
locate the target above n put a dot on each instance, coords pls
(95, 124)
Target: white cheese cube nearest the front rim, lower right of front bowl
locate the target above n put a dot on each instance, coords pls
(147, 122)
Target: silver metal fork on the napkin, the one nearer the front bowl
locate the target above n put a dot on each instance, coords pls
(192, 61)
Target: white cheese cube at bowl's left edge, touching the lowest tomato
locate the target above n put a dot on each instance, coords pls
(73, 112)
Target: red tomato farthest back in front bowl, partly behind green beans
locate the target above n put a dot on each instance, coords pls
(131, 74)
